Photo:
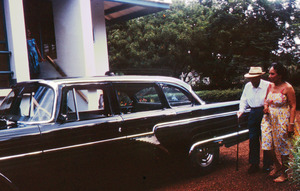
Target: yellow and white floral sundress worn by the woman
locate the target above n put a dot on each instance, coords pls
(274, 125)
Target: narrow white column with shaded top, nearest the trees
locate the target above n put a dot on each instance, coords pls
(100, 40)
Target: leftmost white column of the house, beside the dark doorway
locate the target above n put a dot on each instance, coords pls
(16, 36)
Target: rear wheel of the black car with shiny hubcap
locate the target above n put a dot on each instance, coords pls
(204, 159)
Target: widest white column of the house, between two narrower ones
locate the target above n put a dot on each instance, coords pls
(74, 37)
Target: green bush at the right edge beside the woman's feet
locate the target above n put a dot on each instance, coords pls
(294, 163)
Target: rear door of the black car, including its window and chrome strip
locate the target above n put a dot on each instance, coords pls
(142, 107)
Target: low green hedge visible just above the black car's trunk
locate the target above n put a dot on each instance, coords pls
(210, 96)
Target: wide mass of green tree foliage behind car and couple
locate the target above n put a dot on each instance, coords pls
(219, 39)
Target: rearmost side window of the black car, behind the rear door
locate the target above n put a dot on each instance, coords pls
(176, 96)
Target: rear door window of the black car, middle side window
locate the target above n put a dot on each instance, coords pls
(137, 97)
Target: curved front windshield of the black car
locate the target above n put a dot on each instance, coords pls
(31, 103)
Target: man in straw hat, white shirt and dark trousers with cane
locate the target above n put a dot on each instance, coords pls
(253, 97)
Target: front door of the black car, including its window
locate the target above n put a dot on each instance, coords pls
(85, 123)
